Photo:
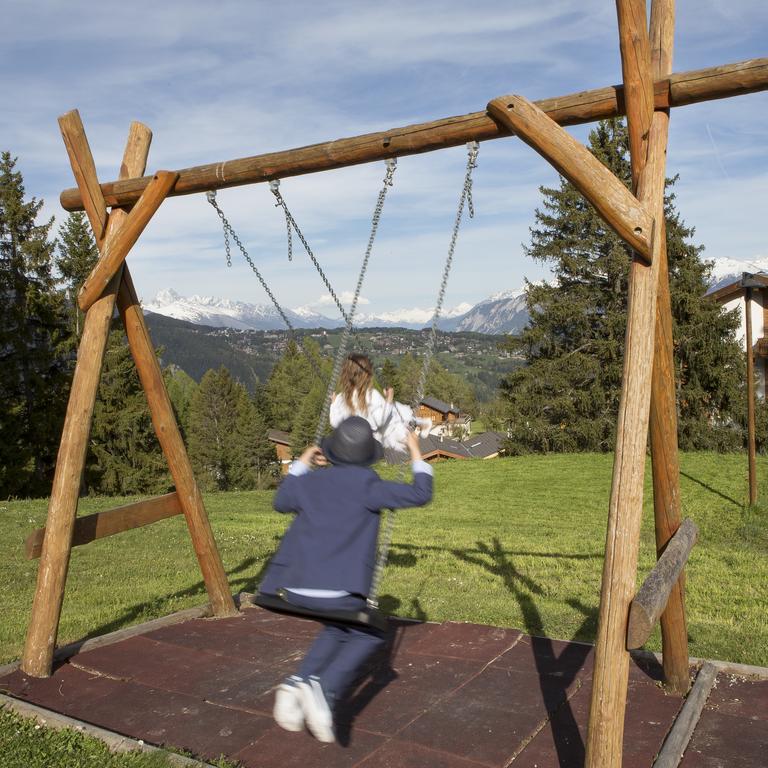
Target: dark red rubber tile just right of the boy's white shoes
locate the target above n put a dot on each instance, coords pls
(390, 699)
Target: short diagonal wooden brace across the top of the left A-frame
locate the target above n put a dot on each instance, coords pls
(114, 253)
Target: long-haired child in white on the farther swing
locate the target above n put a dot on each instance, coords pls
(389, 420)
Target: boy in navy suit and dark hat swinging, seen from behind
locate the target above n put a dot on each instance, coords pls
(326, 559)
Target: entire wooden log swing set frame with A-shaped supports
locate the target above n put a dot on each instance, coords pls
(648, 92)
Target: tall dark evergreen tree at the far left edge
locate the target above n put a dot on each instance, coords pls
(32, 342)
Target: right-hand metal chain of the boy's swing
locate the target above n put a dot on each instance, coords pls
(465, 199)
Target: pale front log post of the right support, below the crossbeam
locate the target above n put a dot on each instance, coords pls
(609, 687)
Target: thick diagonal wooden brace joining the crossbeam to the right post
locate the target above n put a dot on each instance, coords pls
(621, 210)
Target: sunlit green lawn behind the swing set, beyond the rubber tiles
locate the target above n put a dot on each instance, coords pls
(512, 542)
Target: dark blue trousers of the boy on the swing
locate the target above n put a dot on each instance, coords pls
(339, 652)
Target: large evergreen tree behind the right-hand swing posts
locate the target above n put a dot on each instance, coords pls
(566, 398)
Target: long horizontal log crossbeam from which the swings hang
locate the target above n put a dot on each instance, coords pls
(584, 107)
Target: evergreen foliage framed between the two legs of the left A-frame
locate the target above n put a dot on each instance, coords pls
(125, 457)
